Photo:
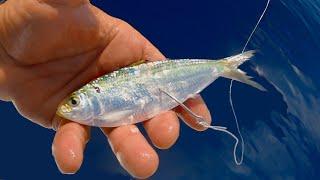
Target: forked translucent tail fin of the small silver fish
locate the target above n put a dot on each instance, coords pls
(233, 62)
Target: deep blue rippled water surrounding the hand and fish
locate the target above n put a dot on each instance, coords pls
(281, 127)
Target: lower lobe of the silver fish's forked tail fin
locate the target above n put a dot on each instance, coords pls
(241, 76)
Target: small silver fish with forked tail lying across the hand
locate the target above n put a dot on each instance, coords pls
(134, 94)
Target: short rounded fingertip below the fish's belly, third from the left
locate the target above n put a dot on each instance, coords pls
(163, 129)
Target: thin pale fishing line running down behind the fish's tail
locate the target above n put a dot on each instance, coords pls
(230, 91)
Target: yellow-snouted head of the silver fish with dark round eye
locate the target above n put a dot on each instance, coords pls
(76, 107)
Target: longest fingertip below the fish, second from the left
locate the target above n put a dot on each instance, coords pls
(132, 150)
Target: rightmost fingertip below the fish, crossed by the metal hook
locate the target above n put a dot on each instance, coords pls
(197, 106)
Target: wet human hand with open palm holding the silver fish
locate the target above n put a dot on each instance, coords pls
(49, 48)
